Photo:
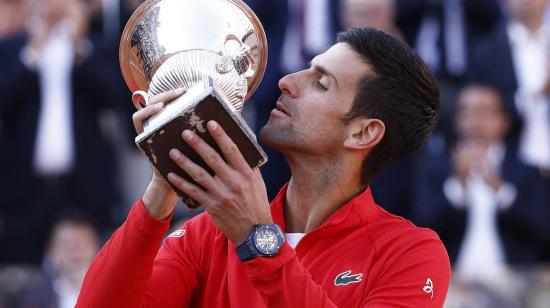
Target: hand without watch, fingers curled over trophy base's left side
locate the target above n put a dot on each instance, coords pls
(159, 198)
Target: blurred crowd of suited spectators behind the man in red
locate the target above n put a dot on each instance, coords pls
(70, 170)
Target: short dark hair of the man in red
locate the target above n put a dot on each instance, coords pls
(401, 92)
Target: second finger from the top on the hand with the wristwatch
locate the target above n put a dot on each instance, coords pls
(207, 153)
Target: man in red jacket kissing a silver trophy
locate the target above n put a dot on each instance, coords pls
(365, 102)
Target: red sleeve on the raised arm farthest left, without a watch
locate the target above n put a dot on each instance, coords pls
(126, 274)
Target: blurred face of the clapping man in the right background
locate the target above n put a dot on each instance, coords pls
(480, 116)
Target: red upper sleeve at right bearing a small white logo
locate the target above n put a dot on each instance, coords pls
(416, 276)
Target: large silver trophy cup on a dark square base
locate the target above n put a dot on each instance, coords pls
(216, 50)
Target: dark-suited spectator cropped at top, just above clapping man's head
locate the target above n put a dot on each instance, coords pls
(445, 33)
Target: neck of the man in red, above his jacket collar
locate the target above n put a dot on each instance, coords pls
(317, 189)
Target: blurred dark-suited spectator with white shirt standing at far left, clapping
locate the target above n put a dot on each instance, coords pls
(57, 89)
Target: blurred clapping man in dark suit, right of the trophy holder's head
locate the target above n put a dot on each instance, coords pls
(489, 208)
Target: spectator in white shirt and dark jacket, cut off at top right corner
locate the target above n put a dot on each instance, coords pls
(514, 59)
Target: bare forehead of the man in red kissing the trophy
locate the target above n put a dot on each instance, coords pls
(344, 63)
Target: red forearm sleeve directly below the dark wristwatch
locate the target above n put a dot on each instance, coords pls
(283, 282)
